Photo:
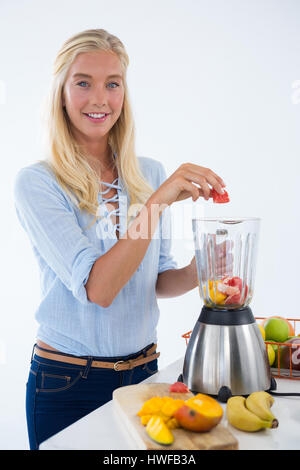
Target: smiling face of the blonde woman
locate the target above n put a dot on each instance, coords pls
(94, 84)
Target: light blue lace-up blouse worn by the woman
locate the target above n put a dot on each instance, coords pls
(66, 249)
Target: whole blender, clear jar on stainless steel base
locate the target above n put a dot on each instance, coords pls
(226, 353)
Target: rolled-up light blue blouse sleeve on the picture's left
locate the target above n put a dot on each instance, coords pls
(51, 224)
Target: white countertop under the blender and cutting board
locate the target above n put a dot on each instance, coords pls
(101, 430)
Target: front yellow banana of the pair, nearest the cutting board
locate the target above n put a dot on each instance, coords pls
(241, 418)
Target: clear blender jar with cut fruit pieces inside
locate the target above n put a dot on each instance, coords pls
(225, 251)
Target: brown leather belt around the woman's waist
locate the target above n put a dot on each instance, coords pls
(119, 365)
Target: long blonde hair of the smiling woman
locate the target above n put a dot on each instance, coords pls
(64, 155)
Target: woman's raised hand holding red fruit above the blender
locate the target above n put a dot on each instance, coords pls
(179, 185)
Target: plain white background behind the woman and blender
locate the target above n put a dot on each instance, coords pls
(213, 82)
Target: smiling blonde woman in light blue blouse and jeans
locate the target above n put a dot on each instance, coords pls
(102, 265)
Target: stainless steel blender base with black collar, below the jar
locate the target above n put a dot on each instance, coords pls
(226, 349)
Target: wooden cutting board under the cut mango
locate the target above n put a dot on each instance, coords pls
(127, 401)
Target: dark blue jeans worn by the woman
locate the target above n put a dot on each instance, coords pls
(58, 393)
